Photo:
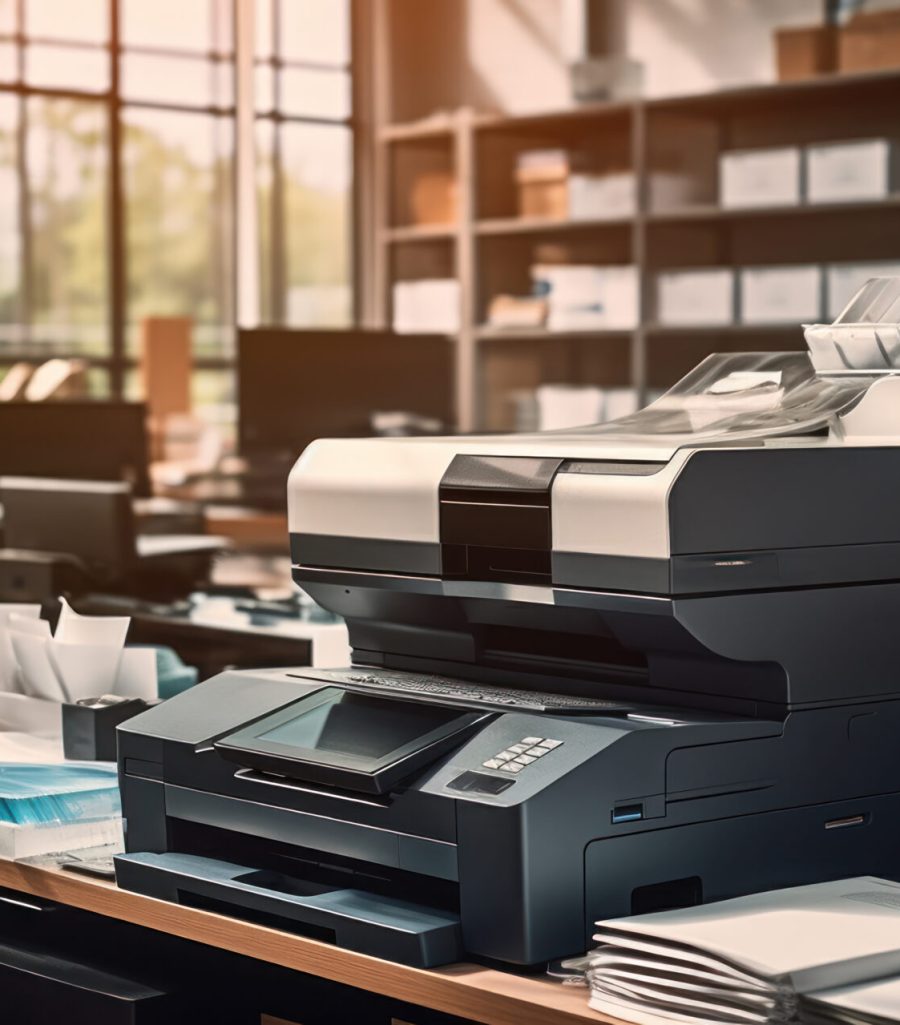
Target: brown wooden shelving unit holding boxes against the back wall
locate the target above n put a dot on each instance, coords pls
(489, 249)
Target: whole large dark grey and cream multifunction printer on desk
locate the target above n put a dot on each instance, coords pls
(597, 673)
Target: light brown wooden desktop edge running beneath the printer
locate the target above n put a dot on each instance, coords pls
(467, 991)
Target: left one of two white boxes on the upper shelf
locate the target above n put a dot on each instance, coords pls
(760, 178)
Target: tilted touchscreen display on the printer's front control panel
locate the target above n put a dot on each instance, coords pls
(358, 725)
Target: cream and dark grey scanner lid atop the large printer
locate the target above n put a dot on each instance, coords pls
(607, 489)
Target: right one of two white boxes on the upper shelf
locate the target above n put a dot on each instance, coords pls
(849, 172)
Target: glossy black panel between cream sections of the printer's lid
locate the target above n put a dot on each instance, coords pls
(496, 519)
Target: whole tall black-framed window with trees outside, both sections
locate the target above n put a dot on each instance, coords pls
(117, 176)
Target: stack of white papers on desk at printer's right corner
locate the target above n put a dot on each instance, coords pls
(749, 960)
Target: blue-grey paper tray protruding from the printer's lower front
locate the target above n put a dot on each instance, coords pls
(353, 920)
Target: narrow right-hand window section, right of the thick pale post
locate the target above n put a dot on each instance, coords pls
(305, 161)
